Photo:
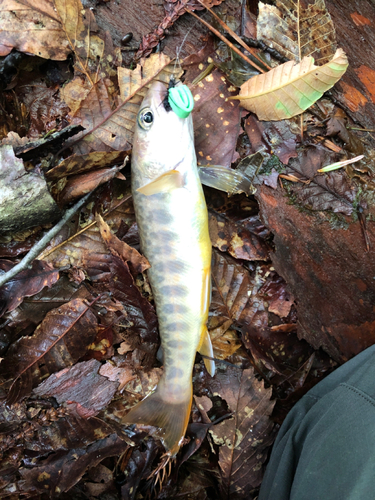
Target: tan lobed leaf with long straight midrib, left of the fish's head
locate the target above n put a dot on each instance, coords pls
(110, 129)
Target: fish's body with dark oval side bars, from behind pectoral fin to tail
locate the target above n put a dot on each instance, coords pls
(174, 237)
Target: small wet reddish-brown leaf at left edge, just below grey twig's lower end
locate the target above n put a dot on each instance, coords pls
(27, 283)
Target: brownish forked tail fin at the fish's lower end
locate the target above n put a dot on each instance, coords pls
(170, 418)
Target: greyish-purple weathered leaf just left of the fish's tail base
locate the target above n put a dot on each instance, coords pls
(85, 391)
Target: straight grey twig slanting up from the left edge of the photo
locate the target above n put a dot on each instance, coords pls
(40, 246)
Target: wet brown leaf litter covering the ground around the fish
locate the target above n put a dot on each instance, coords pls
(79, 330)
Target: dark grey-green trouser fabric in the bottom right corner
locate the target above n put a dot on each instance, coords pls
(325, 449)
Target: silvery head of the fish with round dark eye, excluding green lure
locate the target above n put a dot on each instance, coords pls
(162, 140)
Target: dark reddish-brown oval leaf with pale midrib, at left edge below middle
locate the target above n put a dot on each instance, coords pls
(58, 342)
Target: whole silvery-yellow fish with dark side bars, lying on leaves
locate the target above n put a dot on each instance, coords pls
(172, 219)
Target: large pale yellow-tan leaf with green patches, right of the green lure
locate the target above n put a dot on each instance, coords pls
(290, 89)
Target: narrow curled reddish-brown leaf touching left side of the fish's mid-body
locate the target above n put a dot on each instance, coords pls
(138, 262)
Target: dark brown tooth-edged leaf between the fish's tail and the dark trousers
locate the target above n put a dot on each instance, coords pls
(244, 439)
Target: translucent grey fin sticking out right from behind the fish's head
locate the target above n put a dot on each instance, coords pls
(226, 179)
